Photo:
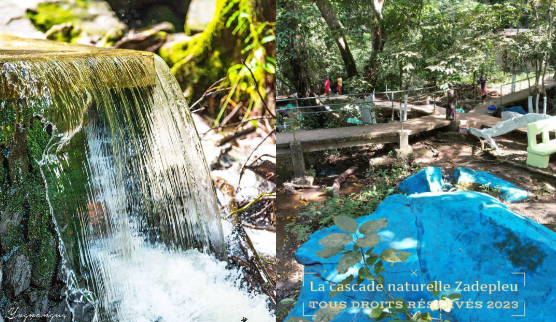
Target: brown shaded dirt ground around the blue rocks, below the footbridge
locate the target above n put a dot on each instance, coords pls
(445, 150)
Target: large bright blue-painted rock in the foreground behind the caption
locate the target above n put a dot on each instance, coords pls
(461, 237)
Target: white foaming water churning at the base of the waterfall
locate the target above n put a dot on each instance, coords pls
(184, 286)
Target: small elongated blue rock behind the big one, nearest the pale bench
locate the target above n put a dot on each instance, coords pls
(508, 191)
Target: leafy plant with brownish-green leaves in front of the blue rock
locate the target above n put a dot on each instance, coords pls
(356, 245)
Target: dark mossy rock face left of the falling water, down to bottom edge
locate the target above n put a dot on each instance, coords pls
(28, 244)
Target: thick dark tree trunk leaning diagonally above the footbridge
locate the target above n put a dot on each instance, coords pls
(333, 23)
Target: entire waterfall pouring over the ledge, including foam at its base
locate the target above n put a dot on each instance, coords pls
(127, 185)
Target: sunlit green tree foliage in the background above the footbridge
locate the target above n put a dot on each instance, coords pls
(429, 41)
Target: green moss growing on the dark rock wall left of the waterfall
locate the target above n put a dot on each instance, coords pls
(26, 214)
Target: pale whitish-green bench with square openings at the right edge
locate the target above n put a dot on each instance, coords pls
(538, 154)
